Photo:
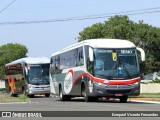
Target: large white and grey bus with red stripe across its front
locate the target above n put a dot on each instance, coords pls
(96, 68)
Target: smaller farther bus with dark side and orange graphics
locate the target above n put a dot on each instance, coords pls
(28, 76)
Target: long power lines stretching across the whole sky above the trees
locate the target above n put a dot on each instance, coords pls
(129, 13)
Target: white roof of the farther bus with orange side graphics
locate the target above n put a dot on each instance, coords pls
(31, 60)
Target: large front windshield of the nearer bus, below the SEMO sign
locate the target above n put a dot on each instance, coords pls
(116, 63)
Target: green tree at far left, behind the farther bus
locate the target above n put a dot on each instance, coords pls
(10, 52)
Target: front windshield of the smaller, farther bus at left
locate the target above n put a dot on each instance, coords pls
(38, 74)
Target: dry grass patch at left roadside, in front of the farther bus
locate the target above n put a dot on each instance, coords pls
(8, 99)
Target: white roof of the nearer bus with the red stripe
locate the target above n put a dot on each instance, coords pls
(100, 43)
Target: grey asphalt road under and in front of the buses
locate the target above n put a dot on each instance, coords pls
(40, 103)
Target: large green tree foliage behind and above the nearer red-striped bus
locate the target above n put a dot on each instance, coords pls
(141, 34)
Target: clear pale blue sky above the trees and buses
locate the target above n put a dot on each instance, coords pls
(45, 38)
